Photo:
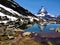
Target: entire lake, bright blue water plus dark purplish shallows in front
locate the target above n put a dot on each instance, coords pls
(47, 36)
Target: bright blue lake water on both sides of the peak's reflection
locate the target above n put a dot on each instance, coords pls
(36, 28)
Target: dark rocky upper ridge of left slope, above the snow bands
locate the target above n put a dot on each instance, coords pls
(16, 7)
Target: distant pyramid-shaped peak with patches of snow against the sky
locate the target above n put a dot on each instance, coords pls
(44, 14)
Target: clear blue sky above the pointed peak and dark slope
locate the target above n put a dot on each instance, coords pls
(52, 6)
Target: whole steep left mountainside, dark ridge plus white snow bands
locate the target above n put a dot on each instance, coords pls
(12, 11)
